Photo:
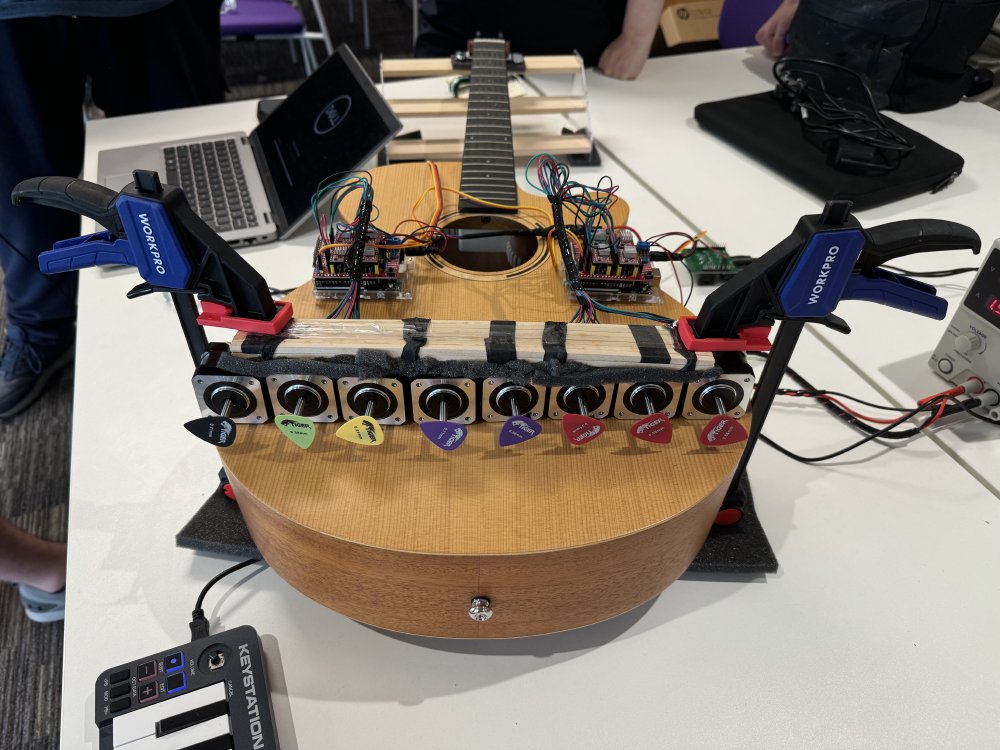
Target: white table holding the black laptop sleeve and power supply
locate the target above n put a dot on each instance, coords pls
(747, 207)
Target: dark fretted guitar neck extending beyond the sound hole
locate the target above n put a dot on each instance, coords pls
(488, 158)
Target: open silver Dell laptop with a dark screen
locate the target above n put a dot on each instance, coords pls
(257, 187)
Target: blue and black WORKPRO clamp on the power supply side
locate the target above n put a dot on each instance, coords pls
(826, 259)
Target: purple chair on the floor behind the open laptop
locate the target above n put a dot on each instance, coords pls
(276, 19)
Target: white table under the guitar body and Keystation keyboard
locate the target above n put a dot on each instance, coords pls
(877, 631)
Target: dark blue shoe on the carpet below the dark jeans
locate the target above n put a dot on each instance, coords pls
(26, 369)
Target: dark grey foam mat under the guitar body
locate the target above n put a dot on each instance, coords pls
(218, 528)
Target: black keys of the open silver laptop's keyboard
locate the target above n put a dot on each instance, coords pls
(211, 176)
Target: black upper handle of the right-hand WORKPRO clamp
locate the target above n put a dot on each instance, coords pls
(898, 238)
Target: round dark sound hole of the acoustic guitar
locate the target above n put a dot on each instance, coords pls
(486, 244)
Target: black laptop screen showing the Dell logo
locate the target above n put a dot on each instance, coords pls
(335, 121)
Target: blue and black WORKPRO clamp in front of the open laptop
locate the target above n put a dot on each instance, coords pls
(151, 226)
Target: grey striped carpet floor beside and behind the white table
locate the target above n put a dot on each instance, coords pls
(35, 445)
